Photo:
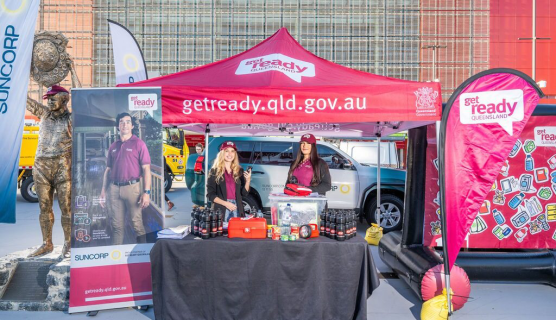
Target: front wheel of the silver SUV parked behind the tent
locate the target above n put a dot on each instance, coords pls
(391, 216)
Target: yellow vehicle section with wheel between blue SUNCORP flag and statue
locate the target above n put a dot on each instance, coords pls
(25, 181)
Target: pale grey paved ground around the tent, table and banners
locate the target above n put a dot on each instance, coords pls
(392, 300)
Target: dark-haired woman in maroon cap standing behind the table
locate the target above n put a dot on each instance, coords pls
(308, 169)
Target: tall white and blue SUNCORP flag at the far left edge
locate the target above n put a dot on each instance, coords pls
(17, 25)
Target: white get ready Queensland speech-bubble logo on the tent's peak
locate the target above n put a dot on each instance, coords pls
(293, 68)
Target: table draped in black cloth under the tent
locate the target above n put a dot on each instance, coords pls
(221, 278)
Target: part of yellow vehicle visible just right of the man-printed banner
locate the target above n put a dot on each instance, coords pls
(175, 153)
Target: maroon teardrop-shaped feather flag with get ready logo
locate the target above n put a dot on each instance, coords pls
(482, 122)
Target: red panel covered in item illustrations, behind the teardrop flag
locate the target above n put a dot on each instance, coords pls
(520, 209)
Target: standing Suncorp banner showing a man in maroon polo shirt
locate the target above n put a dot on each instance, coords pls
(118, 196)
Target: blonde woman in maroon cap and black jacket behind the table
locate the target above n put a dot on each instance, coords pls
(227, 182)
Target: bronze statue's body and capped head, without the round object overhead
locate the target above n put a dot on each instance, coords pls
(52, 168)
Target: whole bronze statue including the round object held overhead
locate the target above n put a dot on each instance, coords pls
(52, 168)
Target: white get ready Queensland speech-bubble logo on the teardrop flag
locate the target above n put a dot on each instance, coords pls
(503, 107)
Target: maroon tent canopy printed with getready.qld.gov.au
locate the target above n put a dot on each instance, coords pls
(285, 89)
